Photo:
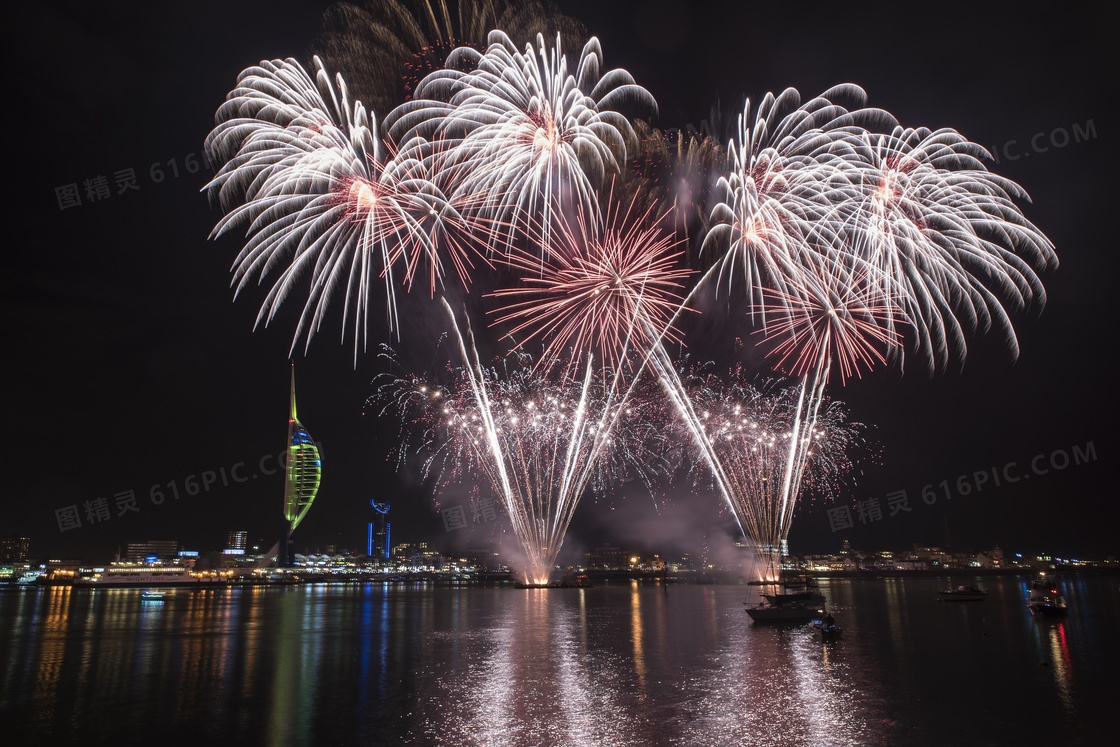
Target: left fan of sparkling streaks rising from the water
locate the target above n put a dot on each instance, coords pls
(540, 441)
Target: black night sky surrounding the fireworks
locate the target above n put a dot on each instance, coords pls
(130, 367)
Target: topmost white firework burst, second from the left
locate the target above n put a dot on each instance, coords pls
(521, 130)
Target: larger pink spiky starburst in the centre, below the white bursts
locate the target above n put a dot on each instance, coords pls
(606, 292)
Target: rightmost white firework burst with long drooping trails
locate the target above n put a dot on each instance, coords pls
(944, 235)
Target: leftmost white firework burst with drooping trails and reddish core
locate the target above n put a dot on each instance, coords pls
(305, 171)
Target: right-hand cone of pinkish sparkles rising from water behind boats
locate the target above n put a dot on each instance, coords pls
(750, 429)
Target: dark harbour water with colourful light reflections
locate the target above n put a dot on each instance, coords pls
(626, 665)
